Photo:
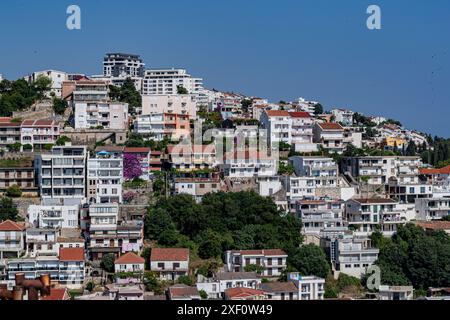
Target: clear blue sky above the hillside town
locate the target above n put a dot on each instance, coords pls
(318, 49)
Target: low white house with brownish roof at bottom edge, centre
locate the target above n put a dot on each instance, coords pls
(215, 287)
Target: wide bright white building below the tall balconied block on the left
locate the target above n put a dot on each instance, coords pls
(53, 217)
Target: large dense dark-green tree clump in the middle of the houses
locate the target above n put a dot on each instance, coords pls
(221, 222)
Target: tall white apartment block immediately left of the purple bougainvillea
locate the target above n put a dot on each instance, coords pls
(105, 175)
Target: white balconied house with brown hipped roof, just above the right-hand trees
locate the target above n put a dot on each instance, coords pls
(369, 215)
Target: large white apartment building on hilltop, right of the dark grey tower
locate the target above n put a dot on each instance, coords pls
(166, 82)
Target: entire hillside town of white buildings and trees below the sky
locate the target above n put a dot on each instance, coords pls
(141, 184)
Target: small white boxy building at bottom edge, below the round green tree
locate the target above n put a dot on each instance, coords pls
(309, 288)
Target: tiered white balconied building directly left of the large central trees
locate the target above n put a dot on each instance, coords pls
(108, 234)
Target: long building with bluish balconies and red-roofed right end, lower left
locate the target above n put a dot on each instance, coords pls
(67, 268)
